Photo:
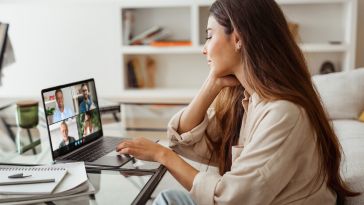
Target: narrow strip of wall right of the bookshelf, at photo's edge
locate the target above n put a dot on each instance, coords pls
(360, 35)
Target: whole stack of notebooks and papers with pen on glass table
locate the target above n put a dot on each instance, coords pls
(25, 185)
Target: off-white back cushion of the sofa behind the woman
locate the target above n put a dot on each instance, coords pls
(342, 93)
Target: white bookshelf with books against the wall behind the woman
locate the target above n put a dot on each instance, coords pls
(327, 30)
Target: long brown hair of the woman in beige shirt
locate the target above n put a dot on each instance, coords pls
(274, 67)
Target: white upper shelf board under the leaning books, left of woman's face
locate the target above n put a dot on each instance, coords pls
(160, 50)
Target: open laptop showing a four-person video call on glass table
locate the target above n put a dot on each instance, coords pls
(74, 126)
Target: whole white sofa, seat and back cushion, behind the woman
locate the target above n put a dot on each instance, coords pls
(343, 96)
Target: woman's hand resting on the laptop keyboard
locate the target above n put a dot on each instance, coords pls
(143, 149)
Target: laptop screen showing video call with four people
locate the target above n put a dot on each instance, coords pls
(73, 116)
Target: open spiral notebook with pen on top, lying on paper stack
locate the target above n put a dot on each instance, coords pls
(30, 184)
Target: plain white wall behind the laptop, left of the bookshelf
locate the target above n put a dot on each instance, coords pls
(60, 41)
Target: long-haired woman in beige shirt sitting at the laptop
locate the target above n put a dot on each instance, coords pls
(267, 131)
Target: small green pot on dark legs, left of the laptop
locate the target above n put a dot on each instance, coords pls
(27, 113)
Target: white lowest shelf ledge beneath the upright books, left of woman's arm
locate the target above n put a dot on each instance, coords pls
(157, 95)
